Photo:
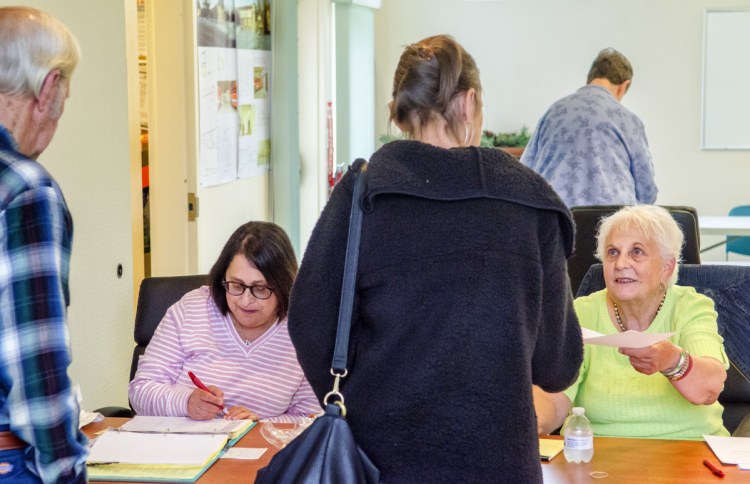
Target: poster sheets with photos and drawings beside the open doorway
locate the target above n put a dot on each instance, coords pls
(234, 70)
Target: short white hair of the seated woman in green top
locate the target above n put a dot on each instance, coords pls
(654, 223)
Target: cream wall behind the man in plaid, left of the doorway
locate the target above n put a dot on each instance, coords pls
(92, 156)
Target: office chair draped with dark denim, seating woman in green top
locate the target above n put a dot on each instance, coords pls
(729, 287)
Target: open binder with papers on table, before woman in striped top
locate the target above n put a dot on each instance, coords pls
(162, 449)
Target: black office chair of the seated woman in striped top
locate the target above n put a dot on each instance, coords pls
(155, 296)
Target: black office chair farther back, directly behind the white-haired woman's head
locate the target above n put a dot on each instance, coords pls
(587, 221)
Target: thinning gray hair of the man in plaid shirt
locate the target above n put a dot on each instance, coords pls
(32, 44)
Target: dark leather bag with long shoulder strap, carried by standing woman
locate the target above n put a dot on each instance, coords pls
(326, 453)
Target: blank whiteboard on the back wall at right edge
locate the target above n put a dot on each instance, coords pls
(726, 80)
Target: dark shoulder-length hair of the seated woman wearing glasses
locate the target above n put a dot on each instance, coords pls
(267, 246)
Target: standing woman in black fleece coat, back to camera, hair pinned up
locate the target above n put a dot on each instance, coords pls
(462, 296)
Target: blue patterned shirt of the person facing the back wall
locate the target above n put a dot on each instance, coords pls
(593, 151)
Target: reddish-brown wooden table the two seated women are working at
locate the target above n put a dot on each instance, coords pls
(638, 461)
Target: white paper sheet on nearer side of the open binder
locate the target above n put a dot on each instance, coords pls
(155, 449)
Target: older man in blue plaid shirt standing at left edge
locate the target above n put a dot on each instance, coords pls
(39, 436)
